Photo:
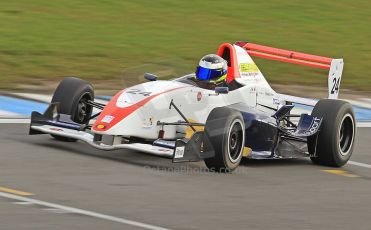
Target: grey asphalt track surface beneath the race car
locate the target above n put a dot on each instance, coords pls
(137, 189)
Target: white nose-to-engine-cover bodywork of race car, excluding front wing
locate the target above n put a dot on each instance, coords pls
(196, 103)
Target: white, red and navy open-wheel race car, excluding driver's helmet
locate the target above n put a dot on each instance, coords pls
(187, 121)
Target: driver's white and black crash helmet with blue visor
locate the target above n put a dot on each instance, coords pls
(212, 68)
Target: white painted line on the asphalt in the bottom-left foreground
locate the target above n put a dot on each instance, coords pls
(81, 212)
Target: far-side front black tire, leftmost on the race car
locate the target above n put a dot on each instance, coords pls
(72, 94)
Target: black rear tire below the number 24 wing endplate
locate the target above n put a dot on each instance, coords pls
(337, 133)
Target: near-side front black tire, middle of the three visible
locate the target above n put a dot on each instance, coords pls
(225, 130)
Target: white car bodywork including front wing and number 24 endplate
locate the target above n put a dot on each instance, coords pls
(136, 111)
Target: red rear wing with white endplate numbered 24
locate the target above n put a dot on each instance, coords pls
(335, 66)
